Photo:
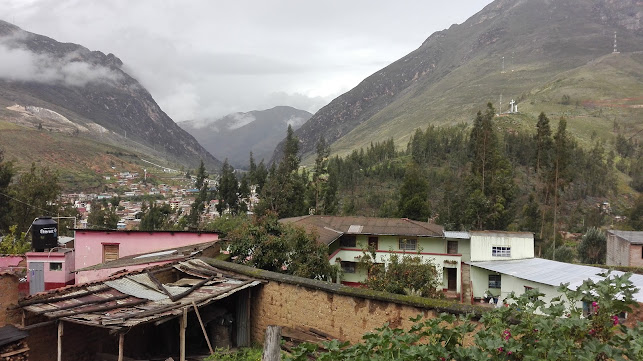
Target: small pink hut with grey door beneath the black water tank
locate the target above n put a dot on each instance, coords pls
(49, 270)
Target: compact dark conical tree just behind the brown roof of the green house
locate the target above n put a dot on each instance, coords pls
(414, 196)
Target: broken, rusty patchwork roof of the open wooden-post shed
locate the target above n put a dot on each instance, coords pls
(139, 297)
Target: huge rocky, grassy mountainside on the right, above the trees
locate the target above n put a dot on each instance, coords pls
(455, 72)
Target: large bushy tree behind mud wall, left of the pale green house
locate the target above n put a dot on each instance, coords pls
(269, 244)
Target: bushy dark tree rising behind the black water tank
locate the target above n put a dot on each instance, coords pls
(34, 194)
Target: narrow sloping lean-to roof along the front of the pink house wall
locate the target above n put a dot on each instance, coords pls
(144, 260)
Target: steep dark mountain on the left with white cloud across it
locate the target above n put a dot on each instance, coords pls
(92, 92)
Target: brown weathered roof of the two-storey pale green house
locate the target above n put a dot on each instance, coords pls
(330, 228)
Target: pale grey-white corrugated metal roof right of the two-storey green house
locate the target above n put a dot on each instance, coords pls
(553, 273)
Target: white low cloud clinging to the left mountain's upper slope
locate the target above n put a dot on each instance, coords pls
(20, 64)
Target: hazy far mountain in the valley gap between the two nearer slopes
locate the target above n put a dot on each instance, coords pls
(236, 135)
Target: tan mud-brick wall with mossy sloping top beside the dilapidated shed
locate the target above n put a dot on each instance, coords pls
(341, 311)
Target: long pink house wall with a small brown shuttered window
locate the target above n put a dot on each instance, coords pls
(94, 247)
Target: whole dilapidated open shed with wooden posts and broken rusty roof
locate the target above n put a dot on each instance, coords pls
(162, 311)
